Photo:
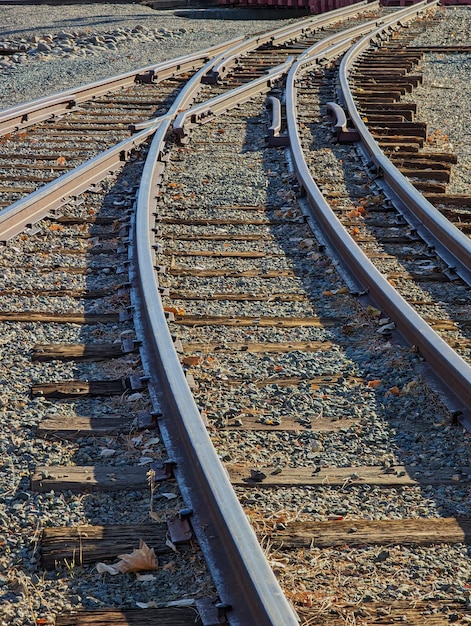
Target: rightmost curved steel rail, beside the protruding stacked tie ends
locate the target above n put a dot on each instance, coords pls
(457, 243)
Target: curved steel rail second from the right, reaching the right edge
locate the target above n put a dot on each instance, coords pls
(448, 365)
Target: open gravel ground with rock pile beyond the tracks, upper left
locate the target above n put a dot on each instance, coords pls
(67, 46)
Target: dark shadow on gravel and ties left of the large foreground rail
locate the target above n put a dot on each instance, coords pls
(104, 429)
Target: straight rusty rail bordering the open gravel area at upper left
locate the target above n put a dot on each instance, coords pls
(26, 114)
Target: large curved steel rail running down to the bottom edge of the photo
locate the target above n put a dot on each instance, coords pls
(244, 578)
